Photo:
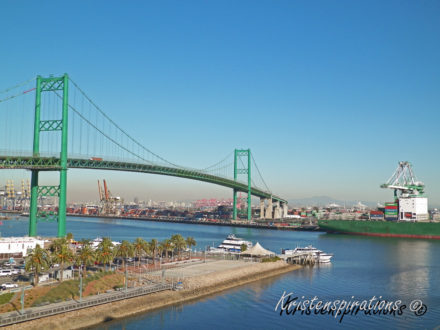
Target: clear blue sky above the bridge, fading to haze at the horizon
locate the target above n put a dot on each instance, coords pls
(328, 95)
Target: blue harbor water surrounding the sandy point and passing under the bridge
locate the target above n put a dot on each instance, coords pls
(362, 269)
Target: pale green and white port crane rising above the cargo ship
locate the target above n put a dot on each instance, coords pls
(404, 180)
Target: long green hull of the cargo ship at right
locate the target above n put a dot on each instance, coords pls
(430, 230)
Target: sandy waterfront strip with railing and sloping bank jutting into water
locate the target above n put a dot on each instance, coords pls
(199, 279)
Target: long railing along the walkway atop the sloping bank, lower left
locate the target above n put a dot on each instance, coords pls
(38, 312)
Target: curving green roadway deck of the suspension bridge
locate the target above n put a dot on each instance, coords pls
(53, 163)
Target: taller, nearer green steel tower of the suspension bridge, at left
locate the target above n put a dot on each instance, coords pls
(51, 84)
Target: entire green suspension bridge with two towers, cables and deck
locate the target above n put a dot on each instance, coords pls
(51, 124)
